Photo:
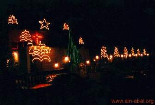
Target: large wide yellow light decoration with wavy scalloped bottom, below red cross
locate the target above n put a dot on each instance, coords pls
(40, 53)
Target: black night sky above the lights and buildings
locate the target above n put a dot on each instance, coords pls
(100, 22)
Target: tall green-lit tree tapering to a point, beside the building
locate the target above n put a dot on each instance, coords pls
(73, 53)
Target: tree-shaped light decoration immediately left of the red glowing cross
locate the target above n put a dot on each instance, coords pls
(25, 36)
